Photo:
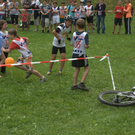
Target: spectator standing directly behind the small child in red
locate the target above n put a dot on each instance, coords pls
(26, 5)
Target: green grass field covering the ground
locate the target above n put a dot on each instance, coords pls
(30, 108)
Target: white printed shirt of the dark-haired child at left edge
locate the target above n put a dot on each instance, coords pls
(5, 42)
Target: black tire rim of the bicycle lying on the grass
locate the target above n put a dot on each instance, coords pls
(113, 92)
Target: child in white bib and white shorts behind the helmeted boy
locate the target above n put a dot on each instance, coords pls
(55, 12)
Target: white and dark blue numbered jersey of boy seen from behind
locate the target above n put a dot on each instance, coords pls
(80, 39)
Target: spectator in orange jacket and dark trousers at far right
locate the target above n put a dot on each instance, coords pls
(127, 17)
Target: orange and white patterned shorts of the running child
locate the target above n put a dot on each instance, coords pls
(26, 60)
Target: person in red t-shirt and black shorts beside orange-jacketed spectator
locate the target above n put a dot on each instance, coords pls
(118, 16)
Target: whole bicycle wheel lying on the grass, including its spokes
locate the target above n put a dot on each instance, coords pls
(112, 98)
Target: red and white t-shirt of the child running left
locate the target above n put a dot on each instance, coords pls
(20, 45)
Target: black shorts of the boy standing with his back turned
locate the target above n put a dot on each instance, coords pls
(79, 63)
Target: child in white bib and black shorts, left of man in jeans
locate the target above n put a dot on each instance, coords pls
(89, 13)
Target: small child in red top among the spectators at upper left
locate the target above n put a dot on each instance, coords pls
(24, 19)
